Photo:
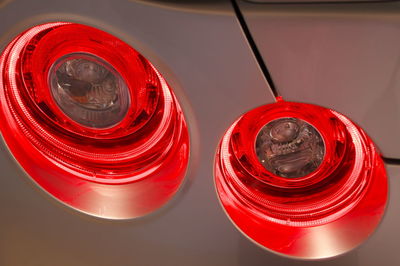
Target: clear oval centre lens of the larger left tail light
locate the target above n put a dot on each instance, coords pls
(89, 90)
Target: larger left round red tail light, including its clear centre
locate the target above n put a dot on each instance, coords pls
(121, 169)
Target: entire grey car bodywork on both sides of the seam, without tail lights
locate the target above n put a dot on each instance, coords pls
(202, 51)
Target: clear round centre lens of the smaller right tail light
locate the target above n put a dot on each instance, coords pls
(290, 147)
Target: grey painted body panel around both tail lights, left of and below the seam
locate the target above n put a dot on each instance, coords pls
(204, 55)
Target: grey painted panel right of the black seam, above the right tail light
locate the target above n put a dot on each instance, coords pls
(343, 56)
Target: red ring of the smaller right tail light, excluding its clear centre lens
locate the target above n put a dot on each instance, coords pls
(325, 213)
